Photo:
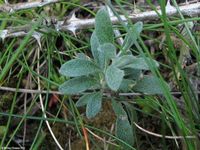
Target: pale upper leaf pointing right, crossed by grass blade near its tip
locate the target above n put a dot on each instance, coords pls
(140, 63)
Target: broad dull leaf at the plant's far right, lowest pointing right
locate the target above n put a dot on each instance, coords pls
(149, 85)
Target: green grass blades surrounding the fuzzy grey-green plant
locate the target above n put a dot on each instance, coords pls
(19, 60)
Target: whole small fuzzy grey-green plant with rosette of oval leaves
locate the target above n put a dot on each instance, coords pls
(109, 72)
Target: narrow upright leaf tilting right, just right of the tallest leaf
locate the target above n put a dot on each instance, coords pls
(132, 35)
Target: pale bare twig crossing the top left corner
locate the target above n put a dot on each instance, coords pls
(11, 8)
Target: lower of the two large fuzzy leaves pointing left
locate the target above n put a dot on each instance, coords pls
(77, 85)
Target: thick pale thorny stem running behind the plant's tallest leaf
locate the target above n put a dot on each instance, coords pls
(74, 23)
